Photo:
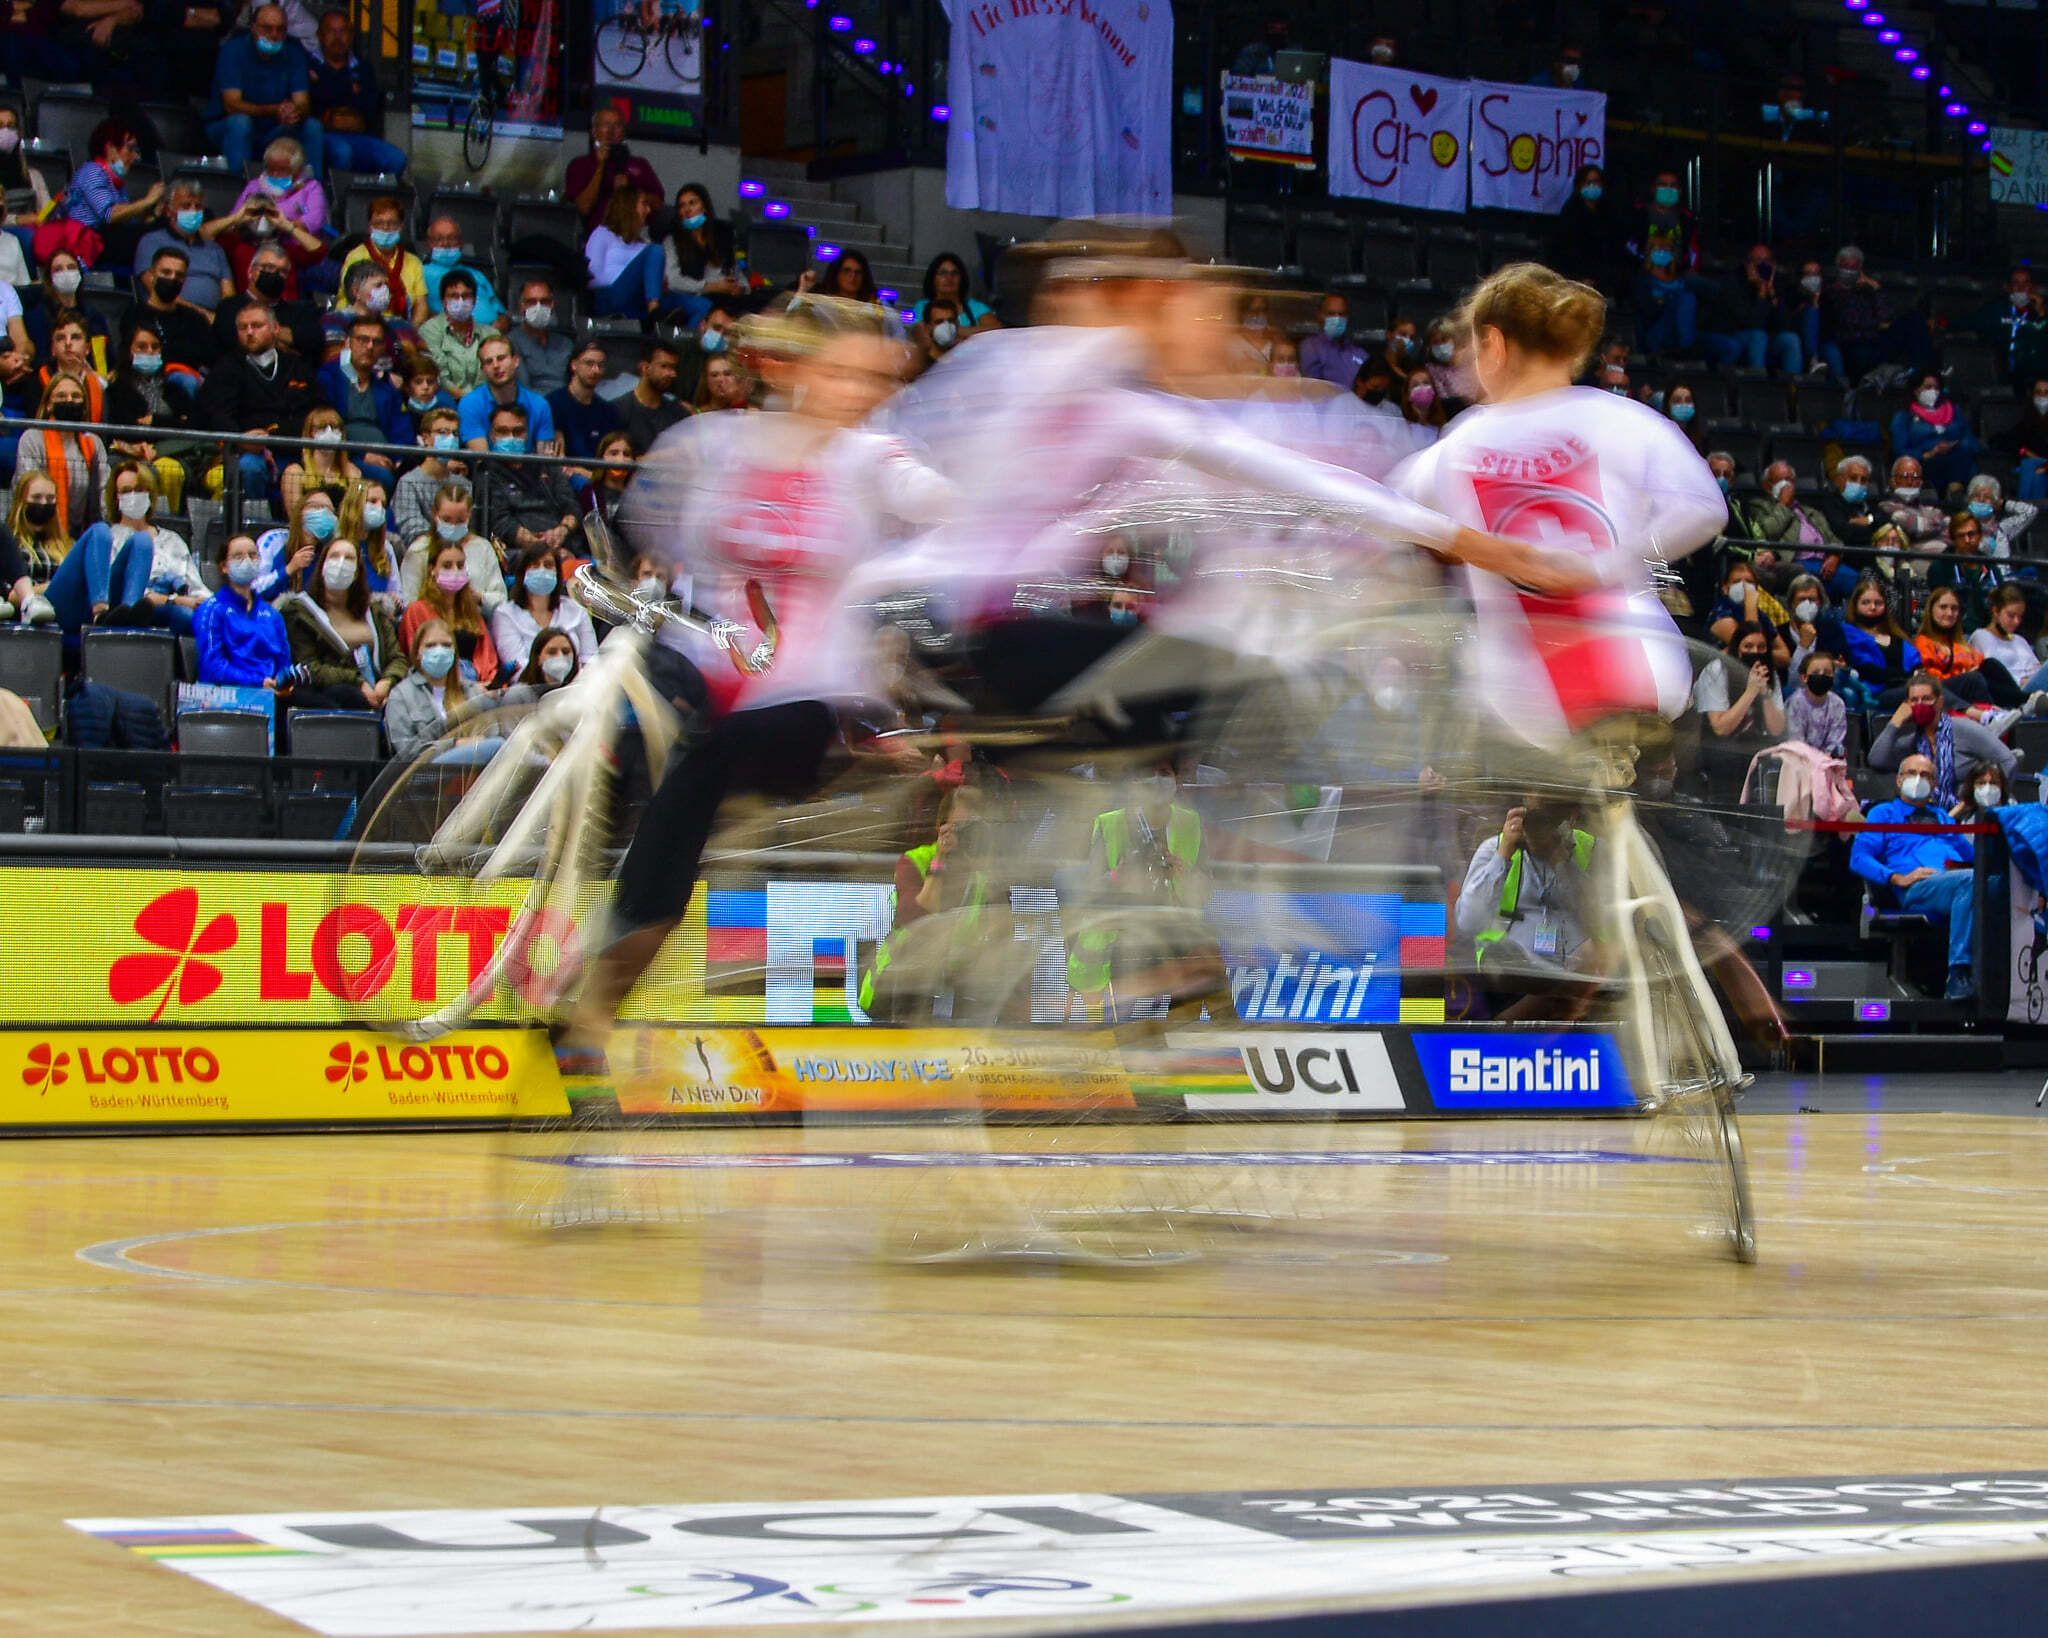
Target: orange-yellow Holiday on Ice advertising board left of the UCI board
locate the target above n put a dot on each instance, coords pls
(769, 1072)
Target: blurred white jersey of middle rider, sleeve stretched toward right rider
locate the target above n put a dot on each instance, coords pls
(1035, 425)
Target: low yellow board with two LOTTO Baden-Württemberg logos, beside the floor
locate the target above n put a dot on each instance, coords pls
(144, 1078)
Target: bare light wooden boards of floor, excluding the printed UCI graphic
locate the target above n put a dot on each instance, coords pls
(351, 1324)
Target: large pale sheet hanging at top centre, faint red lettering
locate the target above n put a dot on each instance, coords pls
(1062, 107)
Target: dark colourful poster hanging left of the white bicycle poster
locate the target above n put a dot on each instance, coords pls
(486, 69)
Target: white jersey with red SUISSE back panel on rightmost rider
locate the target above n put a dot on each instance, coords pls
(1592, 474)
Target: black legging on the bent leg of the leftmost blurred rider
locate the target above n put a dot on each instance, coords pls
(775, 750)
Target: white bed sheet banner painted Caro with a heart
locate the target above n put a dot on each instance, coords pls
(1398, 138)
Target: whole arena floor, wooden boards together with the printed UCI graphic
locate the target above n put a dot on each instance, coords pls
(1453, 1326)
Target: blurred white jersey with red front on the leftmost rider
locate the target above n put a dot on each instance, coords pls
(759, 499)
